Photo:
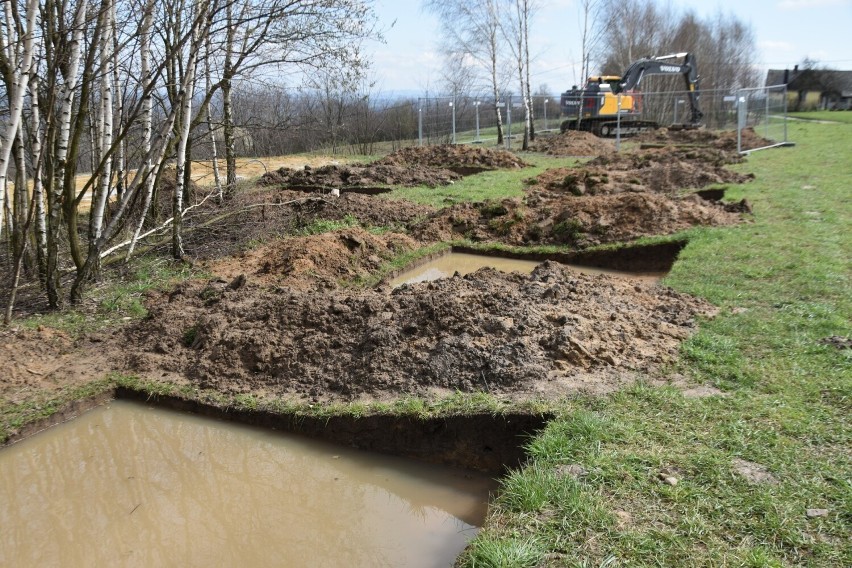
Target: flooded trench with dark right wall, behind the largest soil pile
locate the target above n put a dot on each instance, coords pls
(649, 263)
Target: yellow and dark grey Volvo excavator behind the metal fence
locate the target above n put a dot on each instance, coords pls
(596, 108)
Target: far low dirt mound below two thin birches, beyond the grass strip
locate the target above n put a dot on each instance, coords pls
(453, 156)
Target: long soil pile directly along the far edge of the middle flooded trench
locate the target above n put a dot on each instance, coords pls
(577, 221)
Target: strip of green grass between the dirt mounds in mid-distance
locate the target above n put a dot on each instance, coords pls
(491, 185)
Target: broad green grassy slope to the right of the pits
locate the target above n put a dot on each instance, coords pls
(782, 284)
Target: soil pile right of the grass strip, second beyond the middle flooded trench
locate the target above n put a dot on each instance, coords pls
(660, 170)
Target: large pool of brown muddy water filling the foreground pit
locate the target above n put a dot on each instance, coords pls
(128, 485)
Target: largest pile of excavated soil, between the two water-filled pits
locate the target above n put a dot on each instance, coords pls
(553, 331)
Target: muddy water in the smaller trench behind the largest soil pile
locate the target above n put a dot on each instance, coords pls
(465, 263)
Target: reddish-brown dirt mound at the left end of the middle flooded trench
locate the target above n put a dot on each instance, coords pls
(312, 261)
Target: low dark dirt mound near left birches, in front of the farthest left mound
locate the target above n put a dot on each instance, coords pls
(358, 175)
